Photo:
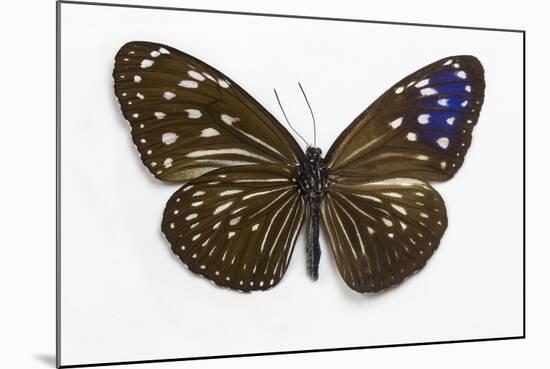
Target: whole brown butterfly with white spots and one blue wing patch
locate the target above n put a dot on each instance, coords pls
(248, 187)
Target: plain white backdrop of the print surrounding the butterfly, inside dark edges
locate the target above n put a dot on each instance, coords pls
(125, 297)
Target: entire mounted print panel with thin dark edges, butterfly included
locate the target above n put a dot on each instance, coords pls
(202, 214)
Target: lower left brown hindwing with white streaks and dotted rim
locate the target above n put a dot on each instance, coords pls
(236, 226)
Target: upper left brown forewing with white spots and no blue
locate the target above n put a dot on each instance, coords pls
(187, 118)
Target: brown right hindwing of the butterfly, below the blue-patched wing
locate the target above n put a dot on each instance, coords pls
(382, 231)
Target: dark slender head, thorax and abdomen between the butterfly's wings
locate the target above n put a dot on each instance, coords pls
(312, 182)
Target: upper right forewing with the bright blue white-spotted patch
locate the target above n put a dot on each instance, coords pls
(420, 128)
